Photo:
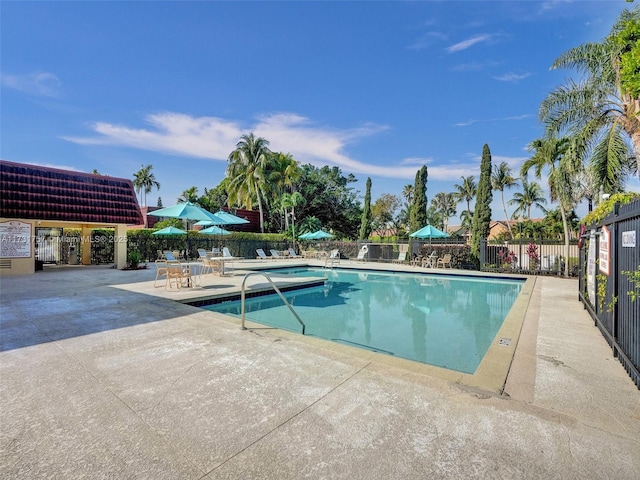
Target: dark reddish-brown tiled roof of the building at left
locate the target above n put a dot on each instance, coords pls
(42, 193)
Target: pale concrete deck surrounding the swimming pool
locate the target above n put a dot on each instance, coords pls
(103, 376)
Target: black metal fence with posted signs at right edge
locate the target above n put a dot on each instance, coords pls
(609, 285)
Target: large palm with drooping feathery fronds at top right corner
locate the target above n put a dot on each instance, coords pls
(597, 110)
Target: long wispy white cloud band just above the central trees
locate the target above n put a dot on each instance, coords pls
(214, 138)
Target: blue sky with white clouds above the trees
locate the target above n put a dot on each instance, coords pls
(376, 88)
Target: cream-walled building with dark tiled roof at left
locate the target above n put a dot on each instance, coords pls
(37, 203)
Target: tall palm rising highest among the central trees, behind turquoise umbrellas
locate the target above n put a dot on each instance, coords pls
(247, 169)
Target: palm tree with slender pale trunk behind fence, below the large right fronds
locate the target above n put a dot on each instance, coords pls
(558, 155)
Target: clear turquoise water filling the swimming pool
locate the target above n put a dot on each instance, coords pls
(443, 320)
